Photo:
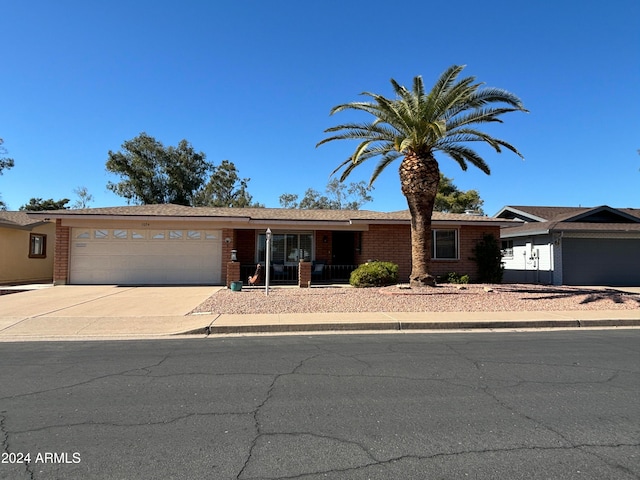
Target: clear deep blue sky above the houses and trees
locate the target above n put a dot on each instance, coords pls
(253, 82)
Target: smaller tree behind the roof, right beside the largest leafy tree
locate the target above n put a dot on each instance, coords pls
(225, 188)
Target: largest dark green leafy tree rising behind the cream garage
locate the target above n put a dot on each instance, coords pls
(152, 173)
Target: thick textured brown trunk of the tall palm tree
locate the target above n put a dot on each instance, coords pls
(419, 178)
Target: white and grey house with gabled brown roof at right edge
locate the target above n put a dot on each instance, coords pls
(572, 245)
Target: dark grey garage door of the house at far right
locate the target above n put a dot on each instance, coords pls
(599, 261)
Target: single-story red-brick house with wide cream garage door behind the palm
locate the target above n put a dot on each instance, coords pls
(172, 244)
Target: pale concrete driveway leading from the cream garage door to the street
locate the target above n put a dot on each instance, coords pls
(101, 310)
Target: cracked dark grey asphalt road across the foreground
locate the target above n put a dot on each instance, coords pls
(535, 405)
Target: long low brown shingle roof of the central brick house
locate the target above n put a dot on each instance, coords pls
(256, 214)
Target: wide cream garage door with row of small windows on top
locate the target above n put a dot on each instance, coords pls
(143, 256)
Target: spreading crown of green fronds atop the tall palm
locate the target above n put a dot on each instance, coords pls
(422, 123)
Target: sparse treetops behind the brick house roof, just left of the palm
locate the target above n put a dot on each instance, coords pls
(338, 196)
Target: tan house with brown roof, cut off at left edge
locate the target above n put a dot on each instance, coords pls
(26, 249)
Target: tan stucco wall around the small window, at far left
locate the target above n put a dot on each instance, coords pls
(15, 264)
